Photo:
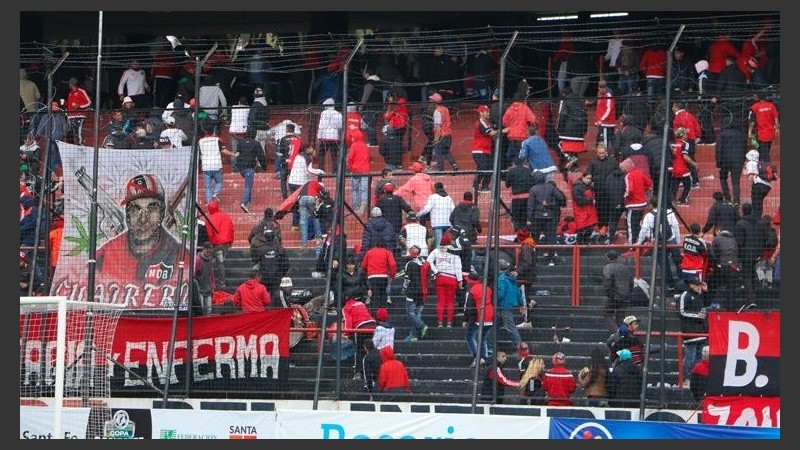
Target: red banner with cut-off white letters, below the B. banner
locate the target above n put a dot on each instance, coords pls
(743, 411)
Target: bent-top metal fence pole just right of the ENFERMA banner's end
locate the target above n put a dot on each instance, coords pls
(337, 245)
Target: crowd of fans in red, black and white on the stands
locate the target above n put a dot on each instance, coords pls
(419, 233)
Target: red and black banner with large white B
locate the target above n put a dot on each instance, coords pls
(745, 354)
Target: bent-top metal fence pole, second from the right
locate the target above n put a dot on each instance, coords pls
(492, 232)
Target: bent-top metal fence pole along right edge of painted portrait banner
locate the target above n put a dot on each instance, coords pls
(186, 232)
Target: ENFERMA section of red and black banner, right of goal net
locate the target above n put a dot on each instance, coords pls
(237, 352)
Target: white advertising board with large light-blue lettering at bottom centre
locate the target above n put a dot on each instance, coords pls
(369, 425)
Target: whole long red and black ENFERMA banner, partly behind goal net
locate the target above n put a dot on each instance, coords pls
(247, 351)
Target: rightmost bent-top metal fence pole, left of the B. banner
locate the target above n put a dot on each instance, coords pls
(660, 223)
